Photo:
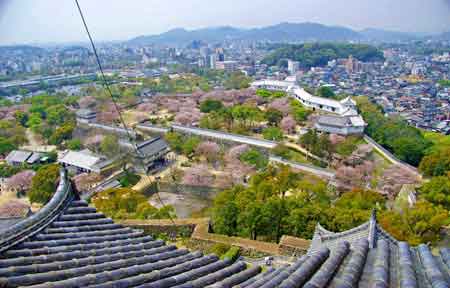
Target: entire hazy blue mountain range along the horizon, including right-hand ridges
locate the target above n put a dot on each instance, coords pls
(283, 32)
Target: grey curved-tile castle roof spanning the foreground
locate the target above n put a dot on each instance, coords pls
(80, 247)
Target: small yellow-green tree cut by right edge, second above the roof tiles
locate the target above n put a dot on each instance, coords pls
(437, 191)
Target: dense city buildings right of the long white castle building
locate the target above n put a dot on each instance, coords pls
(405, 85)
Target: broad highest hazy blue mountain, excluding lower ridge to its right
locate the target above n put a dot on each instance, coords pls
(284, 32)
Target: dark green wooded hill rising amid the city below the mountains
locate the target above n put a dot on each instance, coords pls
(318, 54)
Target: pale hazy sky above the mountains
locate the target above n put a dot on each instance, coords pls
(40, 21)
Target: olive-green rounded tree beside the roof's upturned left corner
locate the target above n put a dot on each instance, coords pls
(44, 183)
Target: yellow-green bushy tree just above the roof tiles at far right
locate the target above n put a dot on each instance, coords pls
(419, 224)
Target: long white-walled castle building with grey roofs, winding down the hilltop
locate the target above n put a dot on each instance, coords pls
(341, 116)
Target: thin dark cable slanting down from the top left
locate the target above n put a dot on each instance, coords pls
(105, 85)
